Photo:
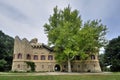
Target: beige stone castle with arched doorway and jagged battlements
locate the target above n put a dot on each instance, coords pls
(44, 58)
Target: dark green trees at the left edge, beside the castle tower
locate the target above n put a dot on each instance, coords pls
(6, 50)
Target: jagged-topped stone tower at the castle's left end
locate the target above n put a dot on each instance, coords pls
(21, 48)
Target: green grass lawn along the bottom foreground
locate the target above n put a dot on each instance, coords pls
(24, 76)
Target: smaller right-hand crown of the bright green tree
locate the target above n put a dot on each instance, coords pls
(93, 33)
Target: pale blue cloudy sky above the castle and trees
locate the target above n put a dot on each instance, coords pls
(26, 18)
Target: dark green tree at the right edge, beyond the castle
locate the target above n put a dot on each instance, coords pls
(112, 54)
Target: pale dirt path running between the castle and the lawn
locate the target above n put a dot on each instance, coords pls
(52, 73)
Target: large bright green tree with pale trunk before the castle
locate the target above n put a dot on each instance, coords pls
(71, 38)
